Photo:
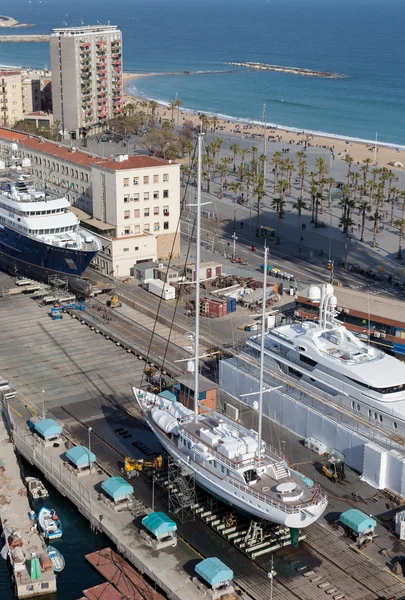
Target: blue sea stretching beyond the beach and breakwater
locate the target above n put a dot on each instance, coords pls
(361, 39)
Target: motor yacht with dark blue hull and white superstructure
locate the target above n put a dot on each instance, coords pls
(39, 235)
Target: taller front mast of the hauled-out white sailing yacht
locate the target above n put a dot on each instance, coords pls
(197, 277)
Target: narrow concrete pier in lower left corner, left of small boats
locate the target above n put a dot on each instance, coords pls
(15, 521)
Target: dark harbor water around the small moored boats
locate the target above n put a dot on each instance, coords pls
(78, 540)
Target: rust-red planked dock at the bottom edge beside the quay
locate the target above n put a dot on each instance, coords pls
(122, 576)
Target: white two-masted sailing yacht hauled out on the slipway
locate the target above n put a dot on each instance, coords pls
(229, 461)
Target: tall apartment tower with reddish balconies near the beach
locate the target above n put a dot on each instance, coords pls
(86, 65)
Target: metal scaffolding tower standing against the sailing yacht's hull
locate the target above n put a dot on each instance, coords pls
(181, 490)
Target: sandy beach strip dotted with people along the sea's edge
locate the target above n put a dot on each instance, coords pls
(358, 150)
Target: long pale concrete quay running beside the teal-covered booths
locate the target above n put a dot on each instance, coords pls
(167, 569)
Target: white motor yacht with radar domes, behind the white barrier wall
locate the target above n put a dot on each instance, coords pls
(325, 354)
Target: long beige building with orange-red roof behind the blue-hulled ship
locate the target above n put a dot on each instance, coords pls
(131, 203)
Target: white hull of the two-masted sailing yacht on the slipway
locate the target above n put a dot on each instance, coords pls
(243, 501)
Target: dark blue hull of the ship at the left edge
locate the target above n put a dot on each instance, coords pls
(22, 255)
